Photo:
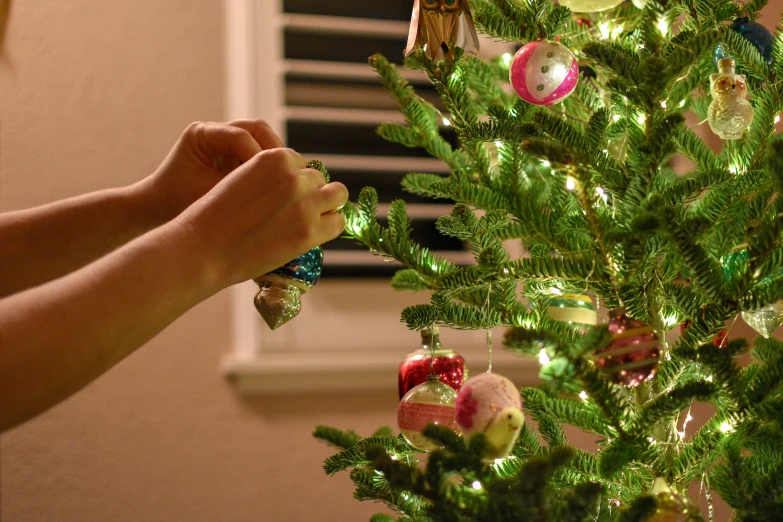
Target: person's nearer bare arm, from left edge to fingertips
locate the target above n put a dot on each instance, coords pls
(58, 337)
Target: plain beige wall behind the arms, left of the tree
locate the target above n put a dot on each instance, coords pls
(93, 93)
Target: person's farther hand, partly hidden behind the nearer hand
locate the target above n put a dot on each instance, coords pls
(203, 155)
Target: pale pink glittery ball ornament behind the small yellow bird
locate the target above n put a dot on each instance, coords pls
(481, 399)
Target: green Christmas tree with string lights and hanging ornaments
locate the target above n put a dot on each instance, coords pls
(567, 147)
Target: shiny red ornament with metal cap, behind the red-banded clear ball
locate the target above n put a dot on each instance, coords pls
(431, 359)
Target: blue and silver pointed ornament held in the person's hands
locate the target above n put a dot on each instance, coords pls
(278, 299)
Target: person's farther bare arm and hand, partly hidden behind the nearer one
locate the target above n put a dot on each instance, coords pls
(46, 242)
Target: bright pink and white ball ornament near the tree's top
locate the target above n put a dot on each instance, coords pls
(544, 72)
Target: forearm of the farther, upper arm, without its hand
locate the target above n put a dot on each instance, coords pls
(42, 243)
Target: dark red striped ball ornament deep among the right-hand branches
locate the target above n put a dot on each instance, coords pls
(632, 355)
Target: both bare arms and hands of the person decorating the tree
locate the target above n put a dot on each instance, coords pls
(88, 280)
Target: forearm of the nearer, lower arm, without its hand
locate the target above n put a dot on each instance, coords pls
(58, 337)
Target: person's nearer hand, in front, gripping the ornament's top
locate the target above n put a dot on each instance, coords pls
(266, 212)
